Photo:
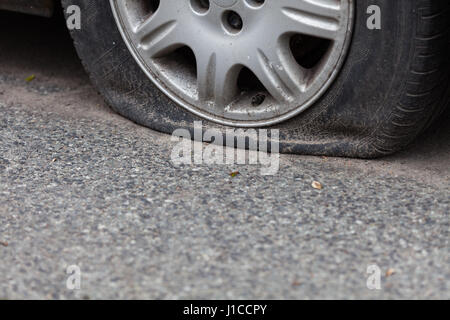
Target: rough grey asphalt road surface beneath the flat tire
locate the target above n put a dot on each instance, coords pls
(80, 185)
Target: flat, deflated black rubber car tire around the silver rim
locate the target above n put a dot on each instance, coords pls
(393, 83)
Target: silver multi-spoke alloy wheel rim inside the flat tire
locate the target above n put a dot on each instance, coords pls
(243, 63)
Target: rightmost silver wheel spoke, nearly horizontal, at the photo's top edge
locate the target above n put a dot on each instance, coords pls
(318, 18)
